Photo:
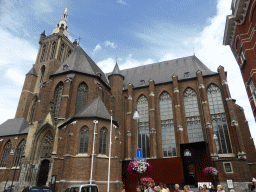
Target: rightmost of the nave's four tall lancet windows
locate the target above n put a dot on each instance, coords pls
(219, 119)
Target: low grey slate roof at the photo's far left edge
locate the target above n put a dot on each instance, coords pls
(17, 126)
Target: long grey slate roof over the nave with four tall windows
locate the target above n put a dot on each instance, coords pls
(162, 72)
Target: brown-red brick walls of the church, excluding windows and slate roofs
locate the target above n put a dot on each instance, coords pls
(72, 167)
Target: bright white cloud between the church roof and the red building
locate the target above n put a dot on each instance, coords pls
(210, 50)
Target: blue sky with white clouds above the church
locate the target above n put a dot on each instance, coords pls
(136, 32)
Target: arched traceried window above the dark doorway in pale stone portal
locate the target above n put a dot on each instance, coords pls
(46, 145)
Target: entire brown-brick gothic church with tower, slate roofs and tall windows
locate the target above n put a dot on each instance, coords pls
(67, 98)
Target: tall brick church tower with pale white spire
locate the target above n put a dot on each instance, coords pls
(53, 51)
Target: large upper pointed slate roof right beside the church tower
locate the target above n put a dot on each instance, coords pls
(79, 61)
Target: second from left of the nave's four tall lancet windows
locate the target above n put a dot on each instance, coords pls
(168, 134)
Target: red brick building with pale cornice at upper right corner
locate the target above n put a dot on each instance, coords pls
(241, 37)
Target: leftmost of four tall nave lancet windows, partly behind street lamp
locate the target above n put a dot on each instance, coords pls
(143, 126)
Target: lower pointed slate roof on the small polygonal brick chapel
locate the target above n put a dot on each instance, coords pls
(94, 109)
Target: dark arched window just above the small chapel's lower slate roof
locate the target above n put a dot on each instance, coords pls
(81, 97)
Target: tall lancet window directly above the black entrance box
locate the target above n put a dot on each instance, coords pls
(195, 133)
